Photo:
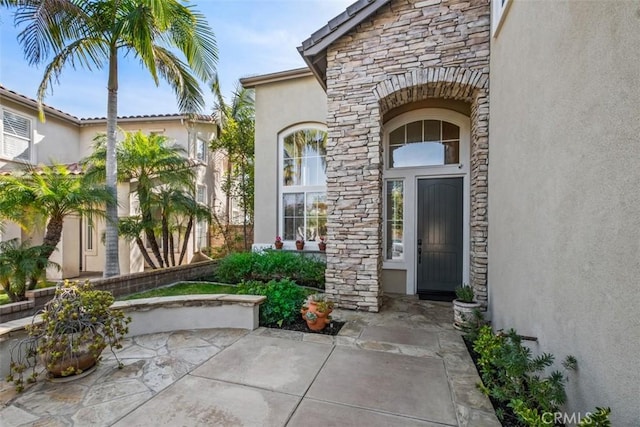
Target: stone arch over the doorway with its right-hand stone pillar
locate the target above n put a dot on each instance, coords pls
(470, 86)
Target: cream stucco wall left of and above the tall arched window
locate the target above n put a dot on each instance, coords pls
(279, 106)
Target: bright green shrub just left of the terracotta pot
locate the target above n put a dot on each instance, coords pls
(284, 299)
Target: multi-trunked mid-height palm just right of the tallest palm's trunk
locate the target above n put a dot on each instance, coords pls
(162, 176)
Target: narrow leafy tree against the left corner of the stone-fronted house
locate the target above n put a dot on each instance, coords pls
(236, 138)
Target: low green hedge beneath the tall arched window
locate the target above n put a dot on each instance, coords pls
(271, 265)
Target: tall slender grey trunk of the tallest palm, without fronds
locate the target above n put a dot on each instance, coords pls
(112, 264)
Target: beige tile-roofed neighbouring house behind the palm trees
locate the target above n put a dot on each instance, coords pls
(66, 139)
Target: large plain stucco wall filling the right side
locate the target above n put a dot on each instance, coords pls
(564, 247)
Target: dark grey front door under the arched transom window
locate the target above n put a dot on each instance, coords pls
(439, 237)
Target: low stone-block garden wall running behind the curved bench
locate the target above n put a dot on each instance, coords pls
(120, 285)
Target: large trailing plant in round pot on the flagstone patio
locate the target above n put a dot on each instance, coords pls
(73, 329)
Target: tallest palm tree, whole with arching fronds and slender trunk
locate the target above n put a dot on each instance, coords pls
(97, 33)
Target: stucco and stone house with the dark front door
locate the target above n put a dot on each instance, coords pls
(386, 152)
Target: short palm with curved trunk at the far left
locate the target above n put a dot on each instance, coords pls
(46, 195)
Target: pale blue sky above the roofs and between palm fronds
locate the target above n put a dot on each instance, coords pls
(253, 37)
